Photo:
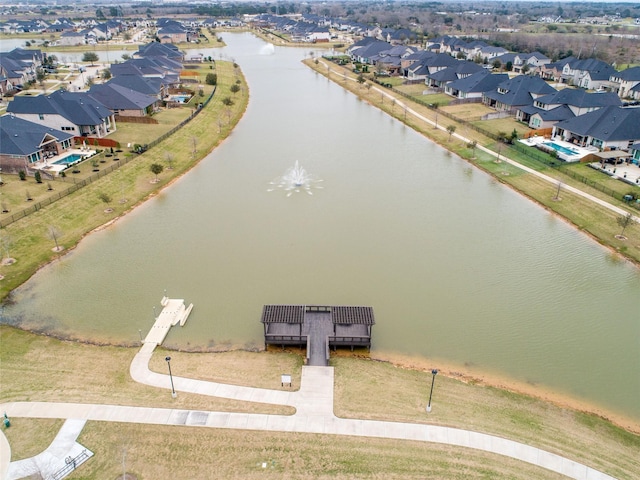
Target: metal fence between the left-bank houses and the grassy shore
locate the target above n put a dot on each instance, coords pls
(78, 184)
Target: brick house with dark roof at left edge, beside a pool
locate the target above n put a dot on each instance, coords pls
(23, 143)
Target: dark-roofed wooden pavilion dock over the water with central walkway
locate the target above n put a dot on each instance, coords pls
(318, 328)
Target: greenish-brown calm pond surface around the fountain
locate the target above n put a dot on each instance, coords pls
(458, 268)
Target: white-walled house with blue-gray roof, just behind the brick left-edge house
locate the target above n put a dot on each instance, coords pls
(72, 112)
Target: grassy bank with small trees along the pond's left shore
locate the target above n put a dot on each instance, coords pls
(81, 212)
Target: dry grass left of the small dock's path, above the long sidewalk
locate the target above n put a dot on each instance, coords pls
(39, 368)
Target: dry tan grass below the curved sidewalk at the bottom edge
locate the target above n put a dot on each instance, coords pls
(154, 452)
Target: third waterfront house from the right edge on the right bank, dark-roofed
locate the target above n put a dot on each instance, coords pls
(516, 93)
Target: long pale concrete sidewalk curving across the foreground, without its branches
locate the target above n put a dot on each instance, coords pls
(322, 424)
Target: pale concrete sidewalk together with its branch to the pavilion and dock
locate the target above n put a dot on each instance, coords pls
(314, 414)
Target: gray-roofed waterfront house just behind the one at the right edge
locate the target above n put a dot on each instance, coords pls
(564, 104)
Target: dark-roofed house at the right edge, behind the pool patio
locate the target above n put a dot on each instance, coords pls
(609, 128)
